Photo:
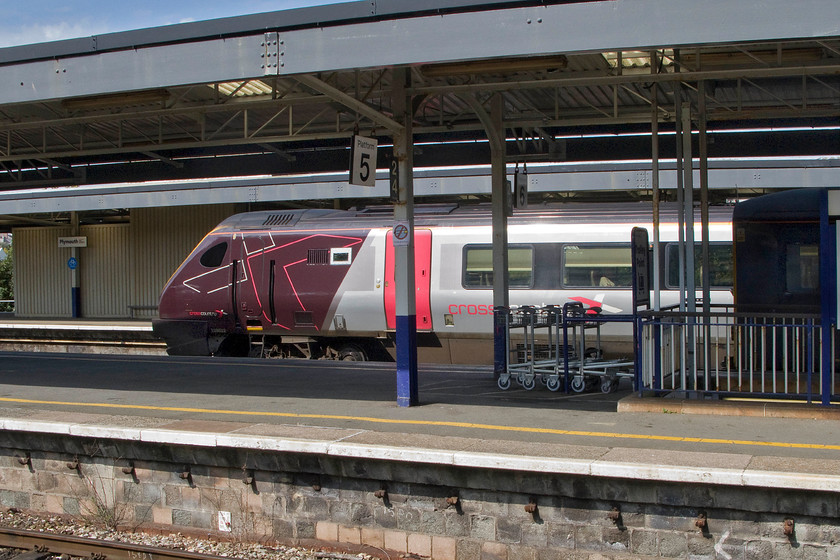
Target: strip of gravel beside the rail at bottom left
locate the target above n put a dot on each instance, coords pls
(246, 551)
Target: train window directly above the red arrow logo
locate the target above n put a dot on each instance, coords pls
(601, 266)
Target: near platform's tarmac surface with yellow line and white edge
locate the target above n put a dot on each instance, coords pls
(463, 418)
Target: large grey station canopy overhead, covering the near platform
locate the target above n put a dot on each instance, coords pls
(283, 92)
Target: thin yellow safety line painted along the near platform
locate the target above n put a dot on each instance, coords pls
(524, 429)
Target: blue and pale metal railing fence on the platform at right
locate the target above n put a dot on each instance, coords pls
(723, 353)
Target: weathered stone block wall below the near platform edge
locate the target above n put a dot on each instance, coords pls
(307, 499)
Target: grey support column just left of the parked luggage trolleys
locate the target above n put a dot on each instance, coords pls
(500, 194)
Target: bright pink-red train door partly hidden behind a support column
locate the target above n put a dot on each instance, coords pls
(422, 280)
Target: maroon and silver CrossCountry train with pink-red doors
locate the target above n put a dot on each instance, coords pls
(319, 283)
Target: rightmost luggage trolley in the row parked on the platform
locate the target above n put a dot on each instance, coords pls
(586, 367)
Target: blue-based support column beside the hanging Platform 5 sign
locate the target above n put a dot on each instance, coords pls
(406, 336)
